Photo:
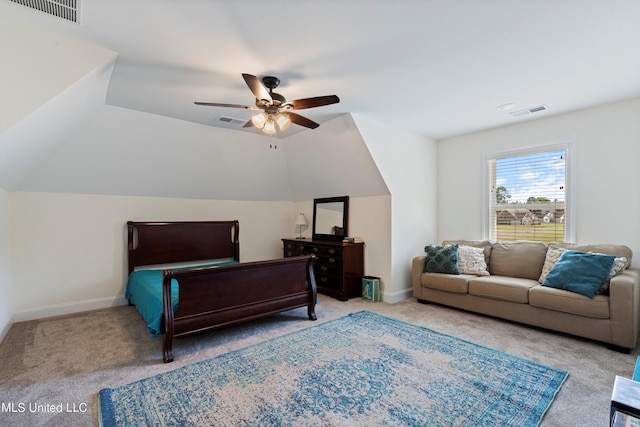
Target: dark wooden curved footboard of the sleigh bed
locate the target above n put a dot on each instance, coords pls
(215, 297)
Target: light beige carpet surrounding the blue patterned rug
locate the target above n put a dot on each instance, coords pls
(61, 363)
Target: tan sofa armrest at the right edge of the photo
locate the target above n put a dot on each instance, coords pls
(624, 308)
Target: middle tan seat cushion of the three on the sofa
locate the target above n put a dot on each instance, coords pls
(502, 288)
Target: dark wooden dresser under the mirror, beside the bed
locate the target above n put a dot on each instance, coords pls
(338, 268)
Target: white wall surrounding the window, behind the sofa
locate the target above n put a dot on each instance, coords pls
(606, 172)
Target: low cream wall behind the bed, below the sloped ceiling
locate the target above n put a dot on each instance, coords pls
(69, 250)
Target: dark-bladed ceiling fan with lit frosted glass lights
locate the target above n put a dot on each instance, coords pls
(276, 110)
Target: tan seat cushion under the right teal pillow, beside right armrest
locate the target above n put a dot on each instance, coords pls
(569, 302)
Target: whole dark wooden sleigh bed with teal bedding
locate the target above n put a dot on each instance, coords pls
(185, 278)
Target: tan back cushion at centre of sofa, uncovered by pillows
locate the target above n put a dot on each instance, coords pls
(518, 259)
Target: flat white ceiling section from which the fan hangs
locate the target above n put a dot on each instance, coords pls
(434, 67)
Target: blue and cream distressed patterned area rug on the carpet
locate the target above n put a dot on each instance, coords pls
(361, 369)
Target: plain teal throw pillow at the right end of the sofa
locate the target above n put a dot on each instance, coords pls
(580, 272)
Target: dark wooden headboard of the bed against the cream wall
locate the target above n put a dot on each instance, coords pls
(182, 241)
